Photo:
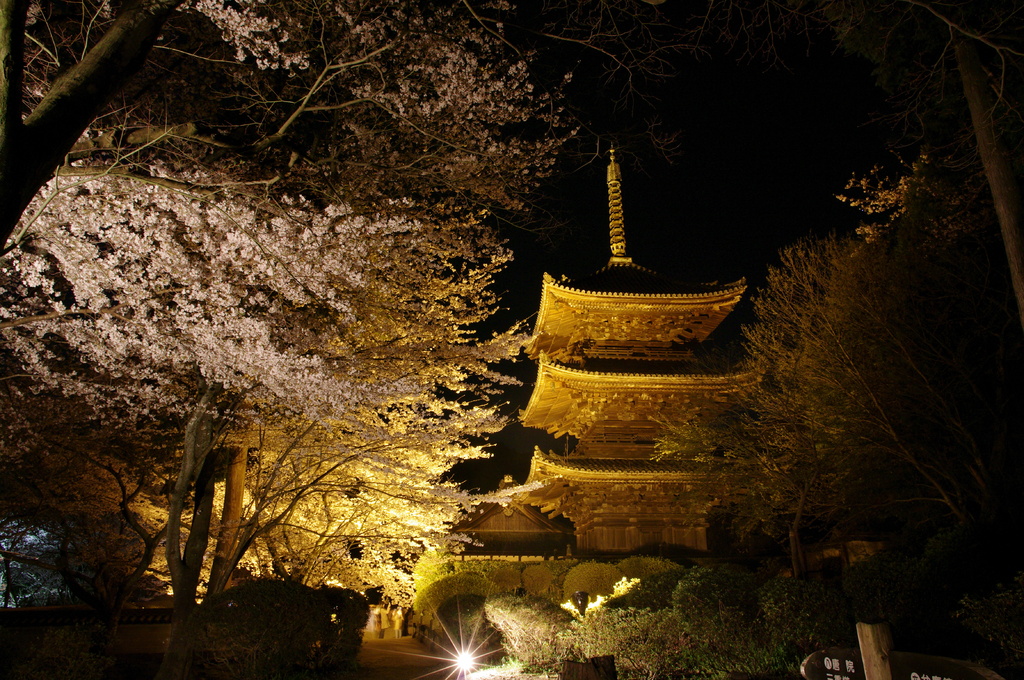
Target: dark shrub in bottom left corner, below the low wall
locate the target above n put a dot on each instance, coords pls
(61, 654)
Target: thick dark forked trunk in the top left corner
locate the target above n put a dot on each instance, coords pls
(31, 151)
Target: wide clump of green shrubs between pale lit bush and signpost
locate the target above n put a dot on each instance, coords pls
(719, 620)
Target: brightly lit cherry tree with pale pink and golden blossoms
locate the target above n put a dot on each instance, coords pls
(226, 314)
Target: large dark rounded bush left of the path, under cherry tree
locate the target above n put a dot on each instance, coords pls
(267, 629)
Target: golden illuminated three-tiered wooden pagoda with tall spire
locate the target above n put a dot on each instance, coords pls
(616, 355)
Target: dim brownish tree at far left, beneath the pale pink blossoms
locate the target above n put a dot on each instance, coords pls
(80, 500)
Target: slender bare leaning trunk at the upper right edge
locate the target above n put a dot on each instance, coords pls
(996, 160)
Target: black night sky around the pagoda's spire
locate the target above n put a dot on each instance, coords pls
(764, 152)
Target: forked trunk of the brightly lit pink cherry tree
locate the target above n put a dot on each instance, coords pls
(186, 565)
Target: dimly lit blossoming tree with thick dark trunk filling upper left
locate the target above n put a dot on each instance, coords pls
(367, 102)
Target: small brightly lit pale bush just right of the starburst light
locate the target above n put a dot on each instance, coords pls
(530, 628)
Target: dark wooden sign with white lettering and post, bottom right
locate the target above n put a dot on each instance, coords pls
(877, 661)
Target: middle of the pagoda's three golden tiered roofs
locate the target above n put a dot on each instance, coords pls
(573, 401)
